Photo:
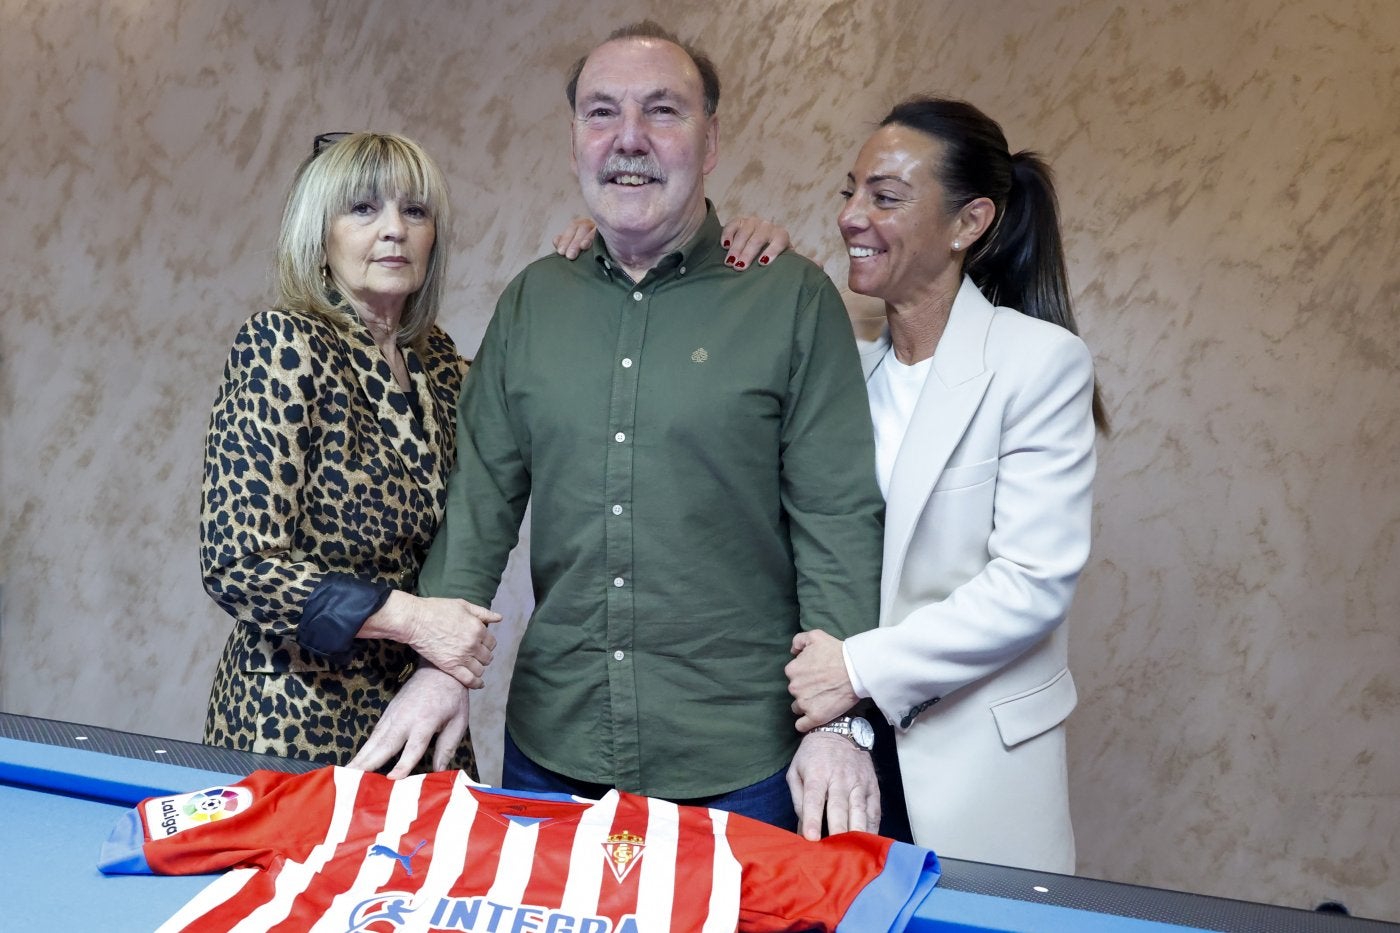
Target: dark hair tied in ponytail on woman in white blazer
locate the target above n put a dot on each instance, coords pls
(1020, 261)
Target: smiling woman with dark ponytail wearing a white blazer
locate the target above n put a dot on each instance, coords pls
(985, 421)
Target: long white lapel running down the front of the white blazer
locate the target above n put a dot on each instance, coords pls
(947, 404)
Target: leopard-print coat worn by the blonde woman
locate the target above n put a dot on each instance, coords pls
(317, 463)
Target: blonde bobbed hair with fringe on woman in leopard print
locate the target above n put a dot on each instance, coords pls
(359, 167)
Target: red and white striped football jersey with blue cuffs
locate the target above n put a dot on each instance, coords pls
(351, 852)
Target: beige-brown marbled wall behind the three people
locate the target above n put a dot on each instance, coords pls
(1231, 187)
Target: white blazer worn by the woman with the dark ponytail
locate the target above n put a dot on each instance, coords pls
(986, 533)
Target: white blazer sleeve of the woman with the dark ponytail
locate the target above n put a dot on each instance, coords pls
(1039, 543)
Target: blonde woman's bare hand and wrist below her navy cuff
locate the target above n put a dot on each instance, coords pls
(450, 635)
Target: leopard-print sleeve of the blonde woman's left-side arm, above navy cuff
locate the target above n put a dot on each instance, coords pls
(261, 432)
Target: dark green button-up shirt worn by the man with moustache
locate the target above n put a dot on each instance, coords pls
(699, 457)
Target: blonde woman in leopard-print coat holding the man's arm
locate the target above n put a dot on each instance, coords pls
(325, 471)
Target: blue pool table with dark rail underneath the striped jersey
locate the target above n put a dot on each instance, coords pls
(64, 787)
